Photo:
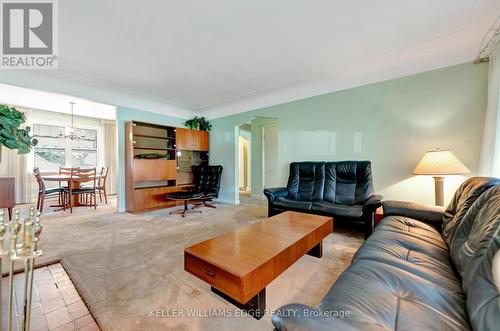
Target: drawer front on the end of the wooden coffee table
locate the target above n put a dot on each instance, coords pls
(220, 279)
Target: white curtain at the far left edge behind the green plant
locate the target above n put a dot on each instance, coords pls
(17, 165)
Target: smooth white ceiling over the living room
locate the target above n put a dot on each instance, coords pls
(226, 56)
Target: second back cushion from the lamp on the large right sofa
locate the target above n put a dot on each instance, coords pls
(479, 224)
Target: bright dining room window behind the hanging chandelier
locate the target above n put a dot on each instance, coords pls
(53, 152)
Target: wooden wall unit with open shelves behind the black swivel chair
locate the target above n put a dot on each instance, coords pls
(148, 180)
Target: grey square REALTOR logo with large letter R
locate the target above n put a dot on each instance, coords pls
(29, 34)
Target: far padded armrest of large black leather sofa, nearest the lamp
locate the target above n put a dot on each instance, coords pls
(425, 213)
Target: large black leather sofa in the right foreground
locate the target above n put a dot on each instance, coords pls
(423, 268)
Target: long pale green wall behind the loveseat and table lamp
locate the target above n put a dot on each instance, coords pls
(391, 123)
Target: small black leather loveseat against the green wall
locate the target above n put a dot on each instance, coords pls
(343, 190)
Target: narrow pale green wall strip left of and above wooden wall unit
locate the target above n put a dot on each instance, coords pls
(123, 115)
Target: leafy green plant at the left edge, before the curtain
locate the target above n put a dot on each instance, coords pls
(12, 135)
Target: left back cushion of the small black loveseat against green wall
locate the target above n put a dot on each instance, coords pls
(306, 181)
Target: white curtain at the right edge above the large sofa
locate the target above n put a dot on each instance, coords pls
(490, 149)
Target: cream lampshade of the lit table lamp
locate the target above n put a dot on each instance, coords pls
(438, 163)
